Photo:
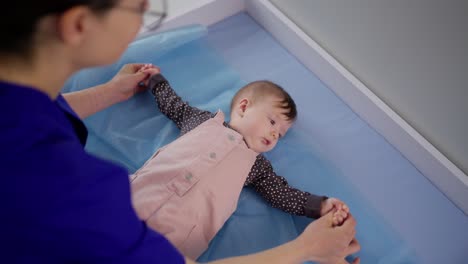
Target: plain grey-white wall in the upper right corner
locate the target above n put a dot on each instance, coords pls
(412, 54)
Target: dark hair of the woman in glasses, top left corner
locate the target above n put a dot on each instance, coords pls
(20, 18)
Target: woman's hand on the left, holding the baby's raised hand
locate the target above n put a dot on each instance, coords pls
(131, 79)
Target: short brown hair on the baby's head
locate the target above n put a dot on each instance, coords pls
(259, 90)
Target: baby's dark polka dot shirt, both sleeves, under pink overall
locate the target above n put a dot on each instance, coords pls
(262, 178)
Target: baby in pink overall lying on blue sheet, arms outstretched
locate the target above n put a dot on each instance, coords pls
(190, 187)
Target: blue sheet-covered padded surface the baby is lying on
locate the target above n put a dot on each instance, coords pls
(401, 217)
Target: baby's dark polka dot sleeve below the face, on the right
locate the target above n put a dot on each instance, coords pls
(279, 194)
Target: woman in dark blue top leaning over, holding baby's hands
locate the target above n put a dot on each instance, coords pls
(60, 204)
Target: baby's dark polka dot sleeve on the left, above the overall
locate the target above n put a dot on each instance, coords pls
(186, 117)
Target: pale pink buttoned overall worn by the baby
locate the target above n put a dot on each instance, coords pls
(189, 188)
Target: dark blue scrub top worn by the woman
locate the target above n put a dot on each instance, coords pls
(60, 204)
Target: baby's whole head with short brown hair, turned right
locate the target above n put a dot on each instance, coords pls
(262, 112)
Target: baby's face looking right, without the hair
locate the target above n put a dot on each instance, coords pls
(263, 124)
